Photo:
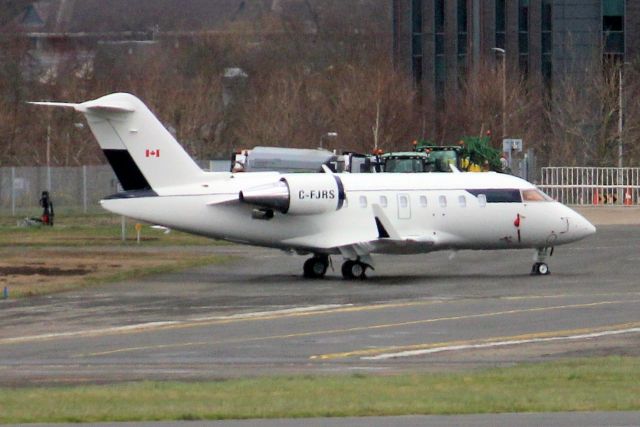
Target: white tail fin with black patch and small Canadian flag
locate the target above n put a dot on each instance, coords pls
(141, 151)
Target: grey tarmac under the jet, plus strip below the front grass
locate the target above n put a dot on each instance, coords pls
(257, 316)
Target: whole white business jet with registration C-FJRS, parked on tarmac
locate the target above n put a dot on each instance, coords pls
(322, 214)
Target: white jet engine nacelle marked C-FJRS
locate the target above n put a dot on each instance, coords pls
(304, 194)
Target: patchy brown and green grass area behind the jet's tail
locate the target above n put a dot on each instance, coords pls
(85, 250)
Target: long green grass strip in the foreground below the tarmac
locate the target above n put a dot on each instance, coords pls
(596, 384)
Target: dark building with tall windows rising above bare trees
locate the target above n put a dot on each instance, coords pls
(440, 42)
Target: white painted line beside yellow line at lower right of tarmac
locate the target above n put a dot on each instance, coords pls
(423, 352)
